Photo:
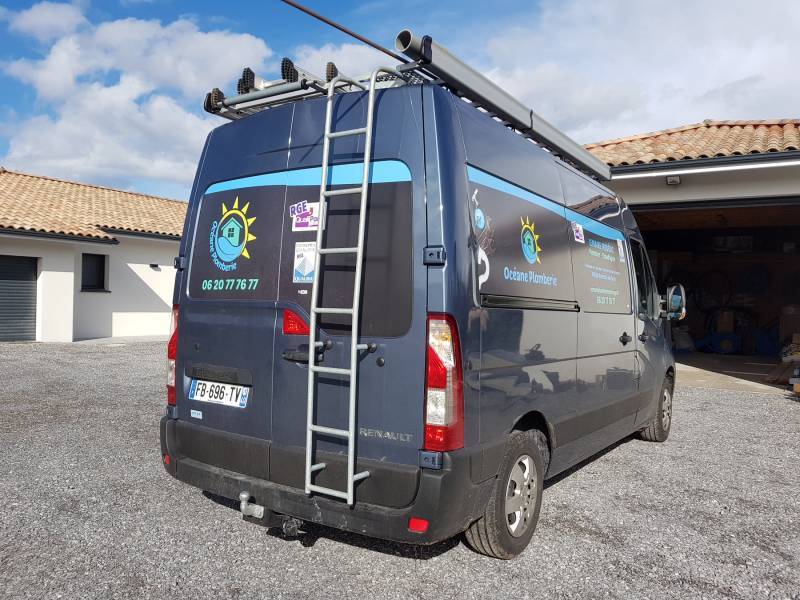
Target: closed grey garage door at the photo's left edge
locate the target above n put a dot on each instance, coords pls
(17, 298)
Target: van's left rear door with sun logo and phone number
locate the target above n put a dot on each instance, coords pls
(228, 310)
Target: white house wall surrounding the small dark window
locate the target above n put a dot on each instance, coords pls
(139, 300)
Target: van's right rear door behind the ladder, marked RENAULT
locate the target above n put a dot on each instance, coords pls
(390, 390)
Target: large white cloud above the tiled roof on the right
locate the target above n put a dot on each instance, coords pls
(603, 70)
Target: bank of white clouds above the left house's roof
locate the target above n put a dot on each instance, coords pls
(121, 101)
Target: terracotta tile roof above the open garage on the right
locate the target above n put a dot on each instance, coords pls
(708, 139)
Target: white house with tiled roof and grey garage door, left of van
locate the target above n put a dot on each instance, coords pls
(81, 261)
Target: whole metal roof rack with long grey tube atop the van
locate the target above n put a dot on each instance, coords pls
(431, 63)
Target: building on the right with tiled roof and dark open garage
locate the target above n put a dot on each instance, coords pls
(718, 204)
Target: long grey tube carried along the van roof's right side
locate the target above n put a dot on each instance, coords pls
(469, 83)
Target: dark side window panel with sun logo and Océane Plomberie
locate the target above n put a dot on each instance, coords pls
(523, 242)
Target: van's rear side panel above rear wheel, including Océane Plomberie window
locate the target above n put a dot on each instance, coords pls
(529, 319)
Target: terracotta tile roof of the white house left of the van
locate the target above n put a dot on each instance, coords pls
(46, 205)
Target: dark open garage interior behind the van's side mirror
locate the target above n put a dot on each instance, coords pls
(740, 264)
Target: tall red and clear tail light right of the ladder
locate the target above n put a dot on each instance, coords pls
(444, 397)
